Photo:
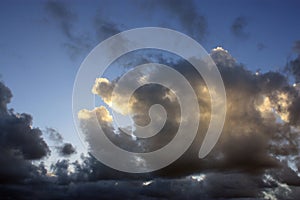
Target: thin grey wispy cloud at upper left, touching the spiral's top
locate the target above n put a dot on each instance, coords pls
(79, 42)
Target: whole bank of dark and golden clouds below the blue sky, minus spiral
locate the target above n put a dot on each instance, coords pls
(257, 155)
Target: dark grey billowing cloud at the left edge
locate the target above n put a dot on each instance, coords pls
(19, 142)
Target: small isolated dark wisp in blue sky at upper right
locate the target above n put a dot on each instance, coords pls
(238, 27)
